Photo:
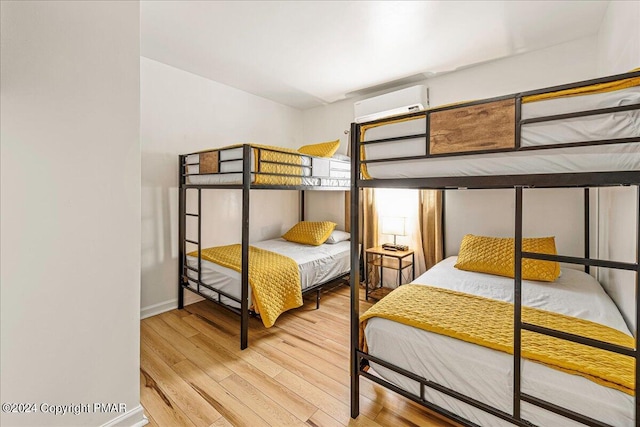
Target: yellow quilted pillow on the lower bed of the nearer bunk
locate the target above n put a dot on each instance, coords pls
(495, 255)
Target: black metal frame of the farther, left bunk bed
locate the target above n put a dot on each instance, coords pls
(246, 187)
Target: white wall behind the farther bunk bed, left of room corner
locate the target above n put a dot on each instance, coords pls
(182, 113)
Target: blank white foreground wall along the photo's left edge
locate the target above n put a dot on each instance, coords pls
(70, 216)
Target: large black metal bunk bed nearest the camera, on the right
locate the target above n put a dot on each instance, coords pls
(584, 135)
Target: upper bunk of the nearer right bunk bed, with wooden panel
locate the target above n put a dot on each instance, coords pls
(581, 134)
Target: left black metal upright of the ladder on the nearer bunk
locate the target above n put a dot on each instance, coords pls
(517, 305)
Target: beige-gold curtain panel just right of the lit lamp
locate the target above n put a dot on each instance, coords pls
(431, 226)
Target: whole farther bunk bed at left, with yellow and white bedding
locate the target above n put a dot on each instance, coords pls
(248, 167)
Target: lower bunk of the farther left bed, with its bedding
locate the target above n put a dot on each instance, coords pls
(220, 282)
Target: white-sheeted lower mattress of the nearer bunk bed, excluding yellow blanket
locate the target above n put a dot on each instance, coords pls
(486, 374)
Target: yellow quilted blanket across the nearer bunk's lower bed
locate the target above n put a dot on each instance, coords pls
(489, 323)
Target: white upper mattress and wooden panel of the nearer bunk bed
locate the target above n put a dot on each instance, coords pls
(491, 126)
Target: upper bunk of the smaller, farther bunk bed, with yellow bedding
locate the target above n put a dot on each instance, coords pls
(265, 167)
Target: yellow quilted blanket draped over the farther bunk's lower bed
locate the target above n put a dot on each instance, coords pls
(274, 278)
